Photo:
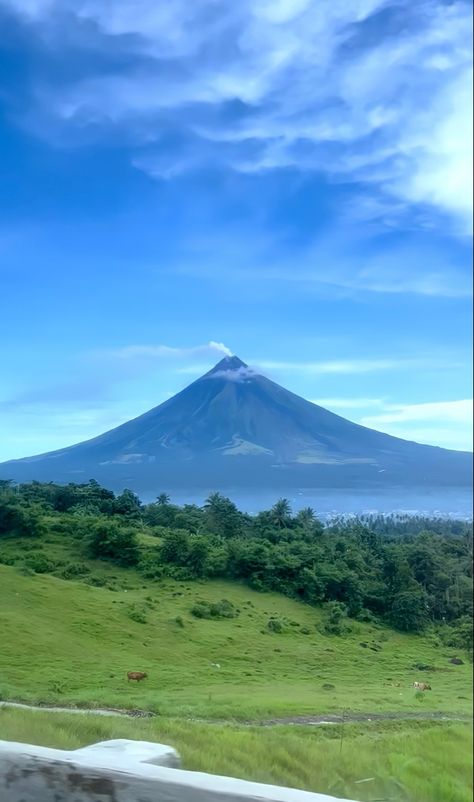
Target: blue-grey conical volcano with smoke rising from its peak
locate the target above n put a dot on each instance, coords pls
(234, 428)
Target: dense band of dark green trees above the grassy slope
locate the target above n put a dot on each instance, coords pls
(410, 572)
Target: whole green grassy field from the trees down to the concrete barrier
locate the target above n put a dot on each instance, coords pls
(212, 683)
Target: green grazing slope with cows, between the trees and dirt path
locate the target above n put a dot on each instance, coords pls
(67, 642)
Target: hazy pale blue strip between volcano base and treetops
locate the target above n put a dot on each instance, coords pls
(448, 502)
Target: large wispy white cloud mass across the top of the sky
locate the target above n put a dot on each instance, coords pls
(368, 91)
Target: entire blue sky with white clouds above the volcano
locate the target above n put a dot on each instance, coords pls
(289, 181)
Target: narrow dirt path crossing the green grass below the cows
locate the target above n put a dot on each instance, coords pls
(320, 720)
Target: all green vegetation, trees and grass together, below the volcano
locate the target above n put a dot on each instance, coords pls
(241, 618)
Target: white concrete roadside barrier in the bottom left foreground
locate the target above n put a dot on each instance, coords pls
(123, 771)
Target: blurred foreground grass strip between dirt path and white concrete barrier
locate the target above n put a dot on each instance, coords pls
(415, 762)
